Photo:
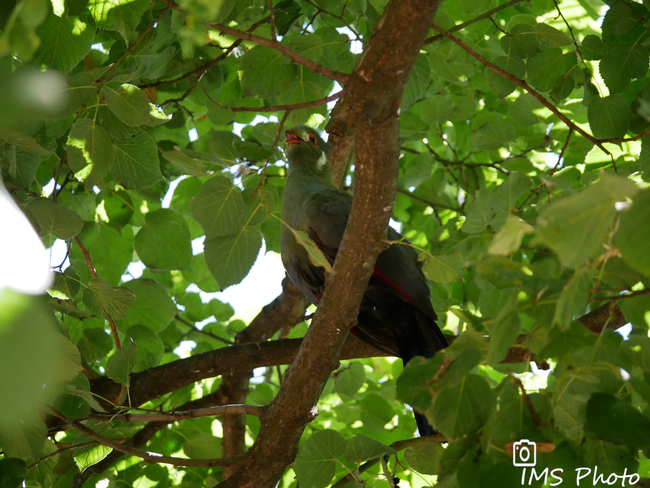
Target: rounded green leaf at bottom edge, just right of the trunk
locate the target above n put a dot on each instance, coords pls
(315, 464)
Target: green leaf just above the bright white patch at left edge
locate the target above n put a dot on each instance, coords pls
(50, 218)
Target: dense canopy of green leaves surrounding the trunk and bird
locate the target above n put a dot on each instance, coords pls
(147, 134)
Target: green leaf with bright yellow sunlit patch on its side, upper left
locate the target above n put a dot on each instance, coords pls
(90, 151)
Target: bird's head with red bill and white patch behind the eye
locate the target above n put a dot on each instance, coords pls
(305, 147)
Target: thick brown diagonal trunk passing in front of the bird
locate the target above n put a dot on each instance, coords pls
(378, 82)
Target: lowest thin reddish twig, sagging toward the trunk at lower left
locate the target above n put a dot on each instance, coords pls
(150, 456)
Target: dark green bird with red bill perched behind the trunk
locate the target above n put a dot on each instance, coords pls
(396, 315)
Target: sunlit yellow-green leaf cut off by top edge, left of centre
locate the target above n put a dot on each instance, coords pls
(122, 16)
